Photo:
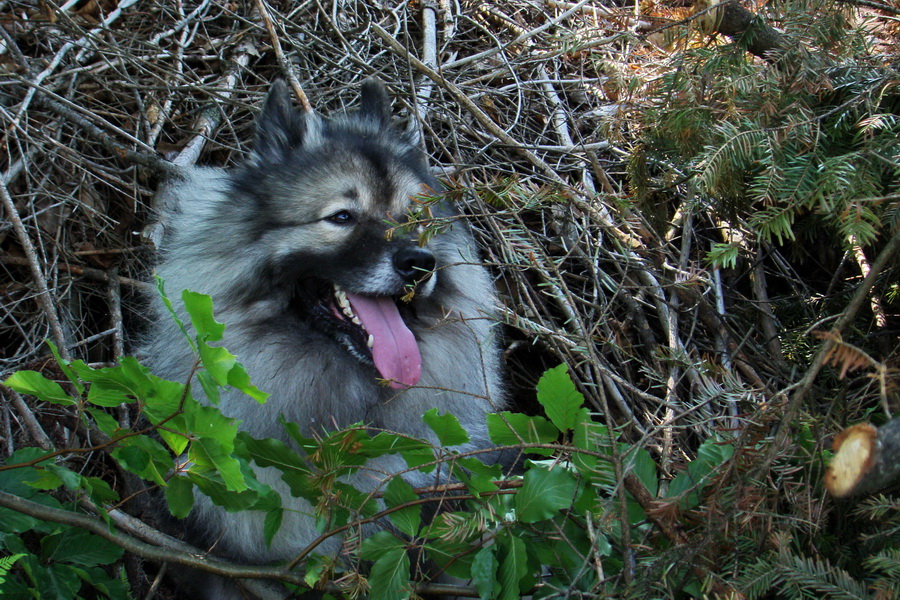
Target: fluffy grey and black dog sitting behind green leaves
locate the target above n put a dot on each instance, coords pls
(332, 302)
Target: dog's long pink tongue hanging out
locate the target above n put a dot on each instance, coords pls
(395, 352)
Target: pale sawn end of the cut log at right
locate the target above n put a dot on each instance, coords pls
(854, 457)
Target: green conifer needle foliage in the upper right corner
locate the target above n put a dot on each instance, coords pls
(770, 146)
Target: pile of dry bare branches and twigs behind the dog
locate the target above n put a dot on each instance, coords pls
(526, 109)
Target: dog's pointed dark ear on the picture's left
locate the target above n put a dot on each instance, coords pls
(280, 127)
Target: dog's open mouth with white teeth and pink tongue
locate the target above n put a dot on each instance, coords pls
(372, 328)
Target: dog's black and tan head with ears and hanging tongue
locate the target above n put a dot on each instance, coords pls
(330, 224)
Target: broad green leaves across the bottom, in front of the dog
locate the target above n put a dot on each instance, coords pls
(536, 534)
